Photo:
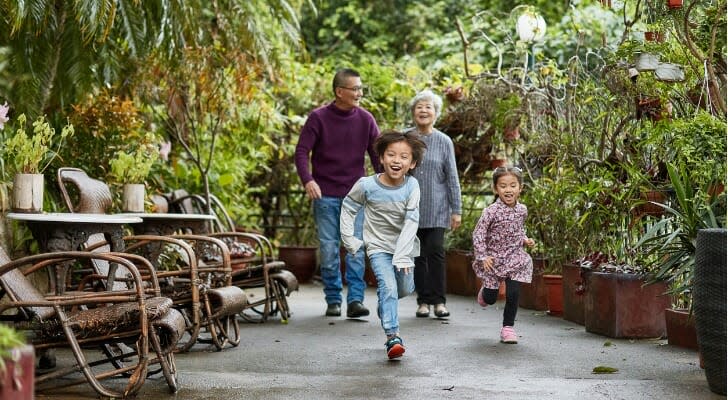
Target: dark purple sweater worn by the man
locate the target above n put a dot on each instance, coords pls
(337, 141)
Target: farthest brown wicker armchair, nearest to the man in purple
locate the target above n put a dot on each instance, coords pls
(253, 260)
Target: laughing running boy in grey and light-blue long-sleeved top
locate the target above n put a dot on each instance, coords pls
(391, 216)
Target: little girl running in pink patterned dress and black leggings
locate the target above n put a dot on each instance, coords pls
(498, 241)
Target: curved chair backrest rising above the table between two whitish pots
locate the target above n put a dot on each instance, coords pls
(94, 196)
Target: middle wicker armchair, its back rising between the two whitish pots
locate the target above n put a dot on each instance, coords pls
(202, 293)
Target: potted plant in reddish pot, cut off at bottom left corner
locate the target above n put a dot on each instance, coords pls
(17, 366)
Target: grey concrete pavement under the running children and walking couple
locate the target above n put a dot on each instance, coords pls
(315, 357)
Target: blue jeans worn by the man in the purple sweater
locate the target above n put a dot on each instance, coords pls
(327, 211)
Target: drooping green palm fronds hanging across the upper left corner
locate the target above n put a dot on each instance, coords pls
(59, 52)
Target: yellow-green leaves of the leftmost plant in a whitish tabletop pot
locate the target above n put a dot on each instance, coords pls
(32, 154)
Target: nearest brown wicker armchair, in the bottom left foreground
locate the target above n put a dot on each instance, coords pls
(137, 317)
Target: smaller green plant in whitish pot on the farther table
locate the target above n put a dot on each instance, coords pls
(131, 169)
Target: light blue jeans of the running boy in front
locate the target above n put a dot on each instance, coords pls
(392, 285)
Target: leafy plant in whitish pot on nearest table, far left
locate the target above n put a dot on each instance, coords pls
(29, 156)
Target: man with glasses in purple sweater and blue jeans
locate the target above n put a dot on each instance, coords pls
(335, 139)
